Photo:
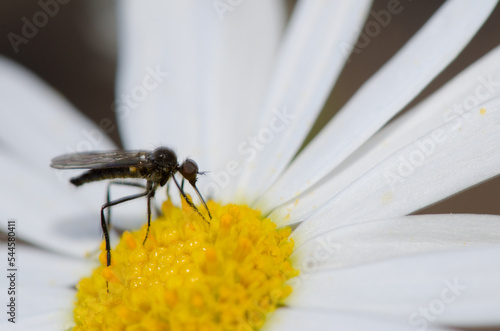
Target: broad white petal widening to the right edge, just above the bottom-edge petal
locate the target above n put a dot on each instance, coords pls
(455, 288)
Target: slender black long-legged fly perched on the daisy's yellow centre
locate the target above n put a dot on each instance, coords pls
(156, 167)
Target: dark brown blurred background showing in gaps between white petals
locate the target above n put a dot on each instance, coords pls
(75, 52)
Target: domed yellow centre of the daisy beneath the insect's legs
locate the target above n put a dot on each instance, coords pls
(190, 275)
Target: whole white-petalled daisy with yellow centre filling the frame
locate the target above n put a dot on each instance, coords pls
(237, 87)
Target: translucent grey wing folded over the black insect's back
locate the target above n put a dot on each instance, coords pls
(92, 160)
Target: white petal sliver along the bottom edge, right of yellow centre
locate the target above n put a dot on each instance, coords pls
(290, 319)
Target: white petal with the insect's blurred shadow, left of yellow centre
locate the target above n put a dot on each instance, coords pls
(43, 214)
